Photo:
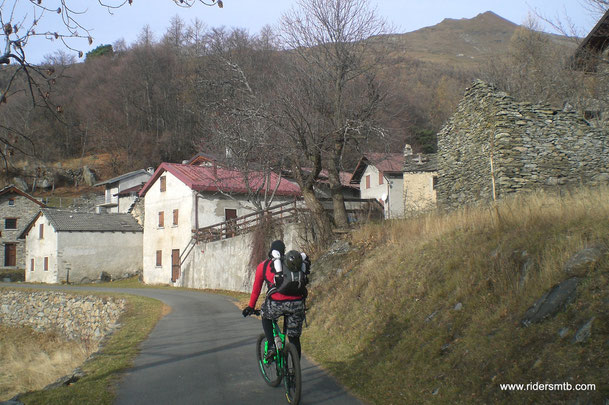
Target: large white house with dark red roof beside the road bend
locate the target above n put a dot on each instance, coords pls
(181, 198)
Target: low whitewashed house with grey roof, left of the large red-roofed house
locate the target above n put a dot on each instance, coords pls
(76, 247)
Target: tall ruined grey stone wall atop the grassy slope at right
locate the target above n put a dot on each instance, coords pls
(493, 146)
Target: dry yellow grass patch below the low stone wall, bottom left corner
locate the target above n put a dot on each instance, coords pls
(31, 360)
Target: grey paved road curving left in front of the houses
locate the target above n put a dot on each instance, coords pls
(203, 352)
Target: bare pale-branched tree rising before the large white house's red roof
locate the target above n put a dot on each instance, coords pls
(234, 91)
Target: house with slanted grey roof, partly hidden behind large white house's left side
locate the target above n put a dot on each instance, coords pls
(121, 192)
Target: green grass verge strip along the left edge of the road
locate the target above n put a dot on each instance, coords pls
(104, 367)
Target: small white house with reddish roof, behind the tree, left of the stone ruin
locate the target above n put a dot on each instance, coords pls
(380, 176)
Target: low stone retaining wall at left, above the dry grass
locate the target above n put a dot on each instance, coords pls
(76, 317)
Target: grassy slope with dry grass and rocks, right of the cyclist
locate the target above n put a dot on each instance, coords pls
(430, 310)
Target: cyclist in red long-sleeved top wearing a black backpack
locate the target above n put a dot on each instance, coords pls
(277, 304)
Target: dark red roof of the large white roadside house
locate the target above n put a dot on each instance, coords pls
(214, 179)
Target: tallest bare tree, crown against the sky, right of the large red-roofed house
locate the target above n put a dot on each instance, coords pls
(329, 41)
